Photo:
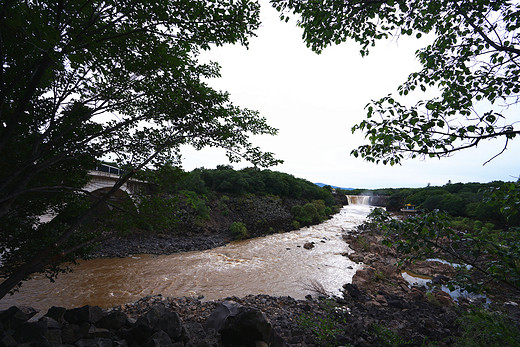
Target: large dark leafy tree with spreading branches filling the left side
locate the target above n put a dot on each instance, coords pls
(85, 80)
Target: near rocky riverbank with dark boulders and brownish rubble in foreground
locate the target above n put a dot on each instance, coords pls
(379, 308)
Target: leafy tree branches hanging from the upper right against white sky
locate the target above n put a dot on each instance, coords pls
(472, 66)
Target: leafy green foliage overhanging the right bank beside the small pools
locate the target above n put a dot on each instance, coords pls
(492, 254)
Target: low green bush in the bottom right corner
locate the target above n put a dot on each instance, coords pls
(483, 328)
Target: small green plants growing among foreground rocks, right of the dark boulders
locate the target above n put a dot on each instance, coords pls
(324, 327)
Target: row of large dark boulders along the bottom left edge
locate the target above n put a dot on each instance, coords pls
(229, 324)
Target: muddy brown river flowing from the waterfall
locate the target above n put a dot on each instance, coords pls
(275, 265)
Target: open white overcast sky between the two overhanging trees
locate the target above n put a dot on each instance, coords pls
(314, 100)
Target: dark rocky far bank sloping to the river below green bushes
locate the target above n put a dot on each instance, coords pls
(261, 216)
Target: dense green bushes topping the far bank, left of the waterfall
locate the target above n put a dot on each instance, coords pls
(200, 188)
